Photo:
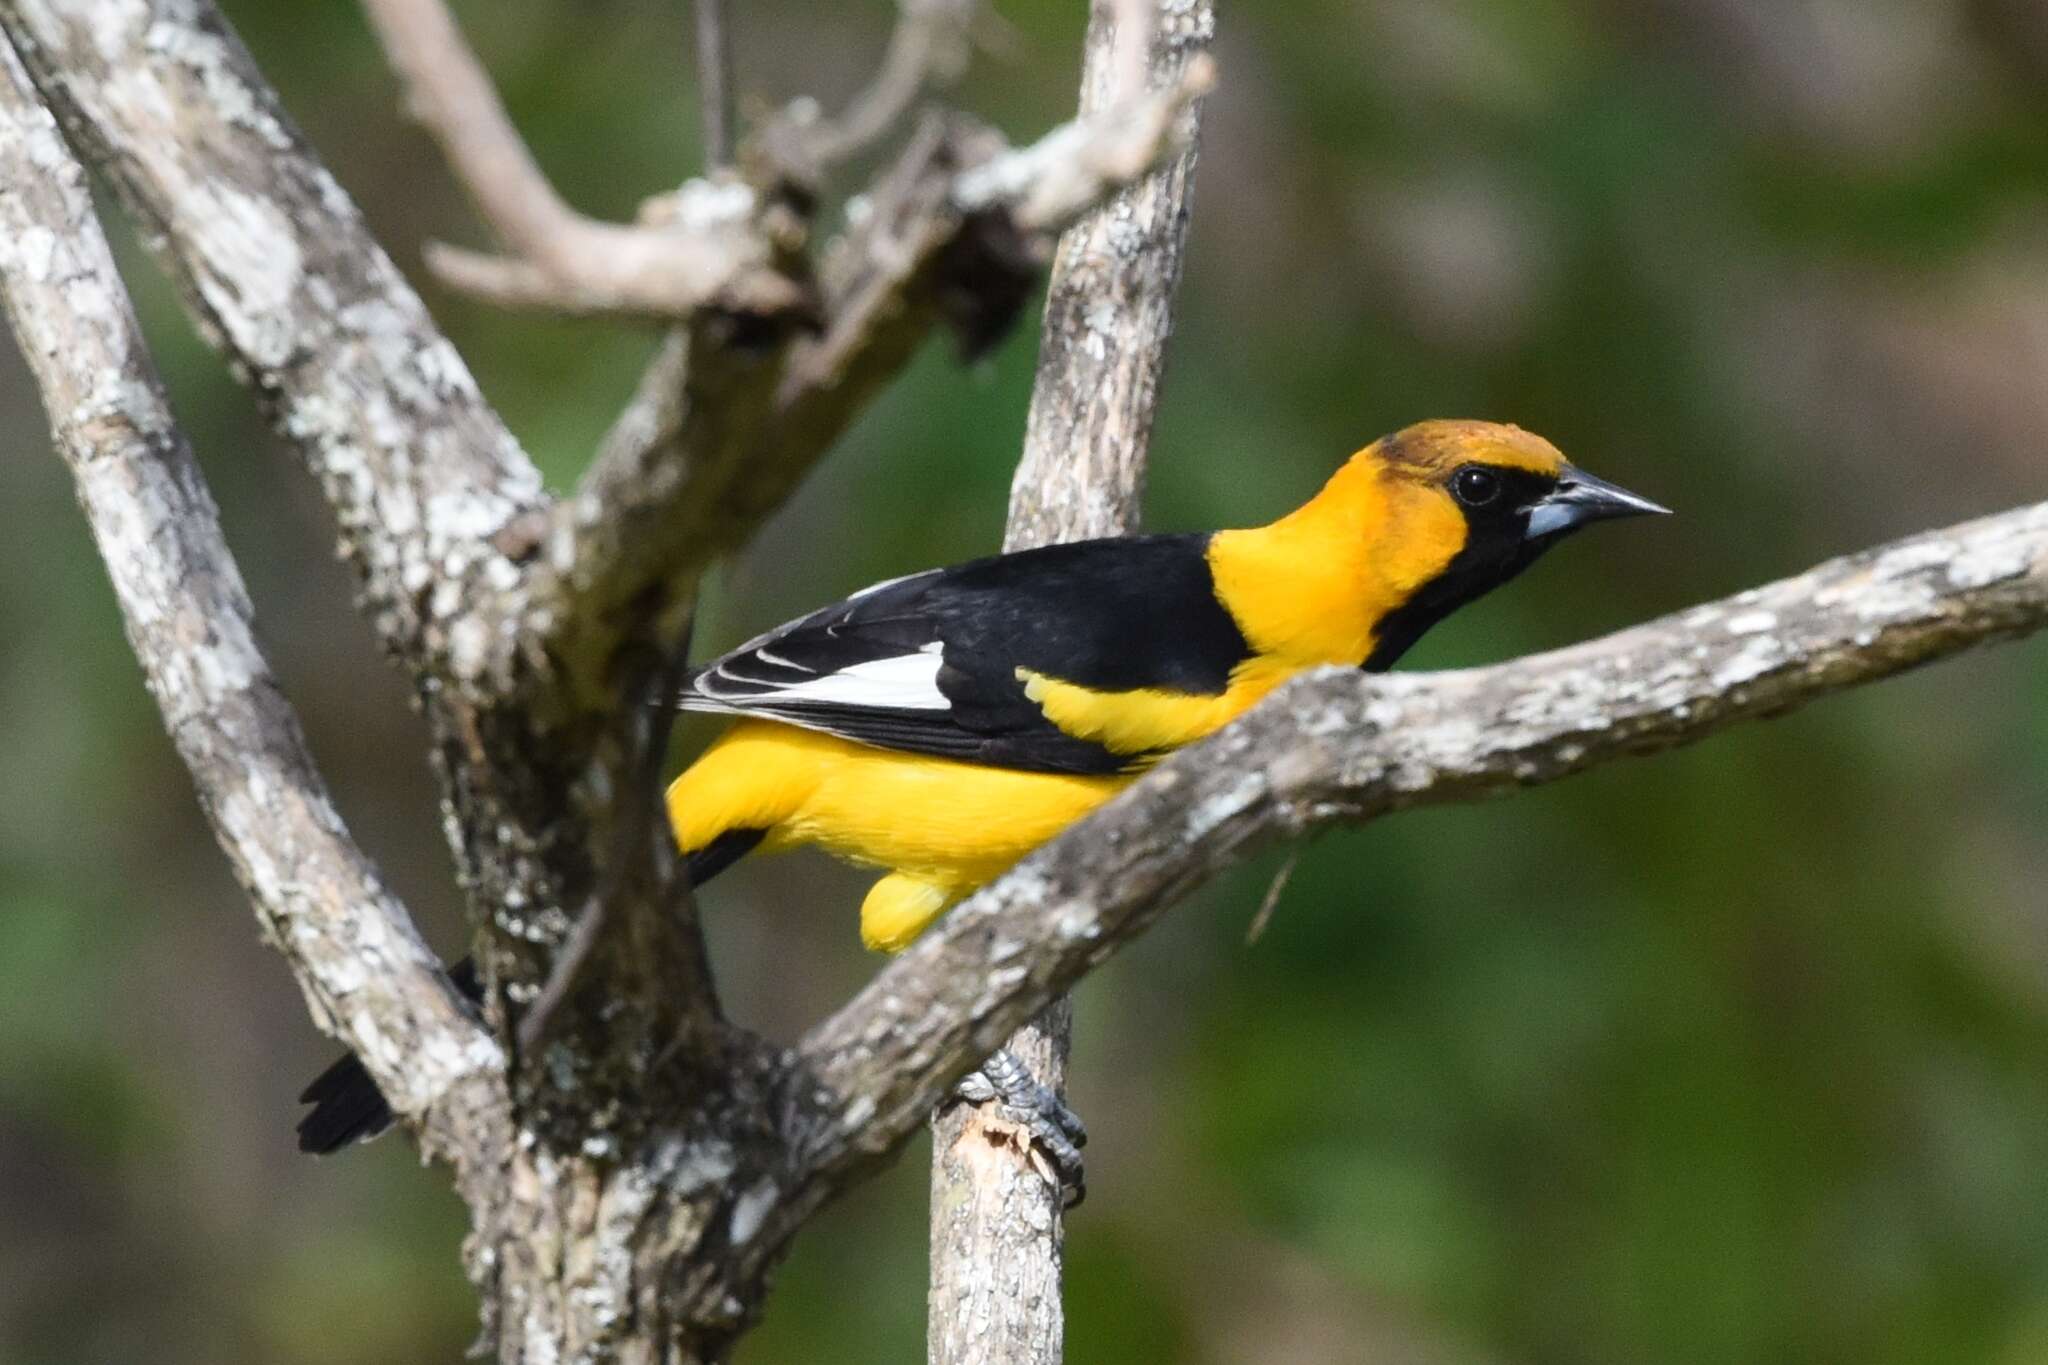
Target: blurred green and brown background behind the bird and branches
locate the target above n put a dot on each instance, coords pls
(1738, 1055)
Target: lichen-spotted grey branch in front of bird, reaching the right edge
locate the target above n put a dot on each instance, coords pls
(1349, 748)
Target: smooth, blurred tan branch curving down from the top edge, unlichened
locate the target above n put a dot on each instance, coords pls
(701, 249)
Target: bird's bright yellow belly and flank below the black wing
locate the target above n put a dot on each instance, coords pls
(941, 826)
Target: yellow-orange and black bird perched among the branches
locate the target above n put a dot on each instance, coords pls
(943, 725)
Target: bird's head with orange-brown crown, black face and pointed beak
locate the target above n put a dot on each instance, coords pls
(1465, 509)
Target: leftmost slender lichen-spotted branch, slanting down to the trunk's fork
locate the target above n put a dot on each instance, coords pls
(366, 973)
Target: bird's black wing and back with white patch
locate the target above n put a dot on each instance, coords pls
(929, 664)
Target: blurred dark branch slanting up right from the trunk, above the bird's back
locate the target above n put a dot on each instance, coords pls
(654, 511)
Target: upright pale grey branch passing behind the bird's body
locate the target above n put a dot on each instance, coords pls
(998, 1227)
